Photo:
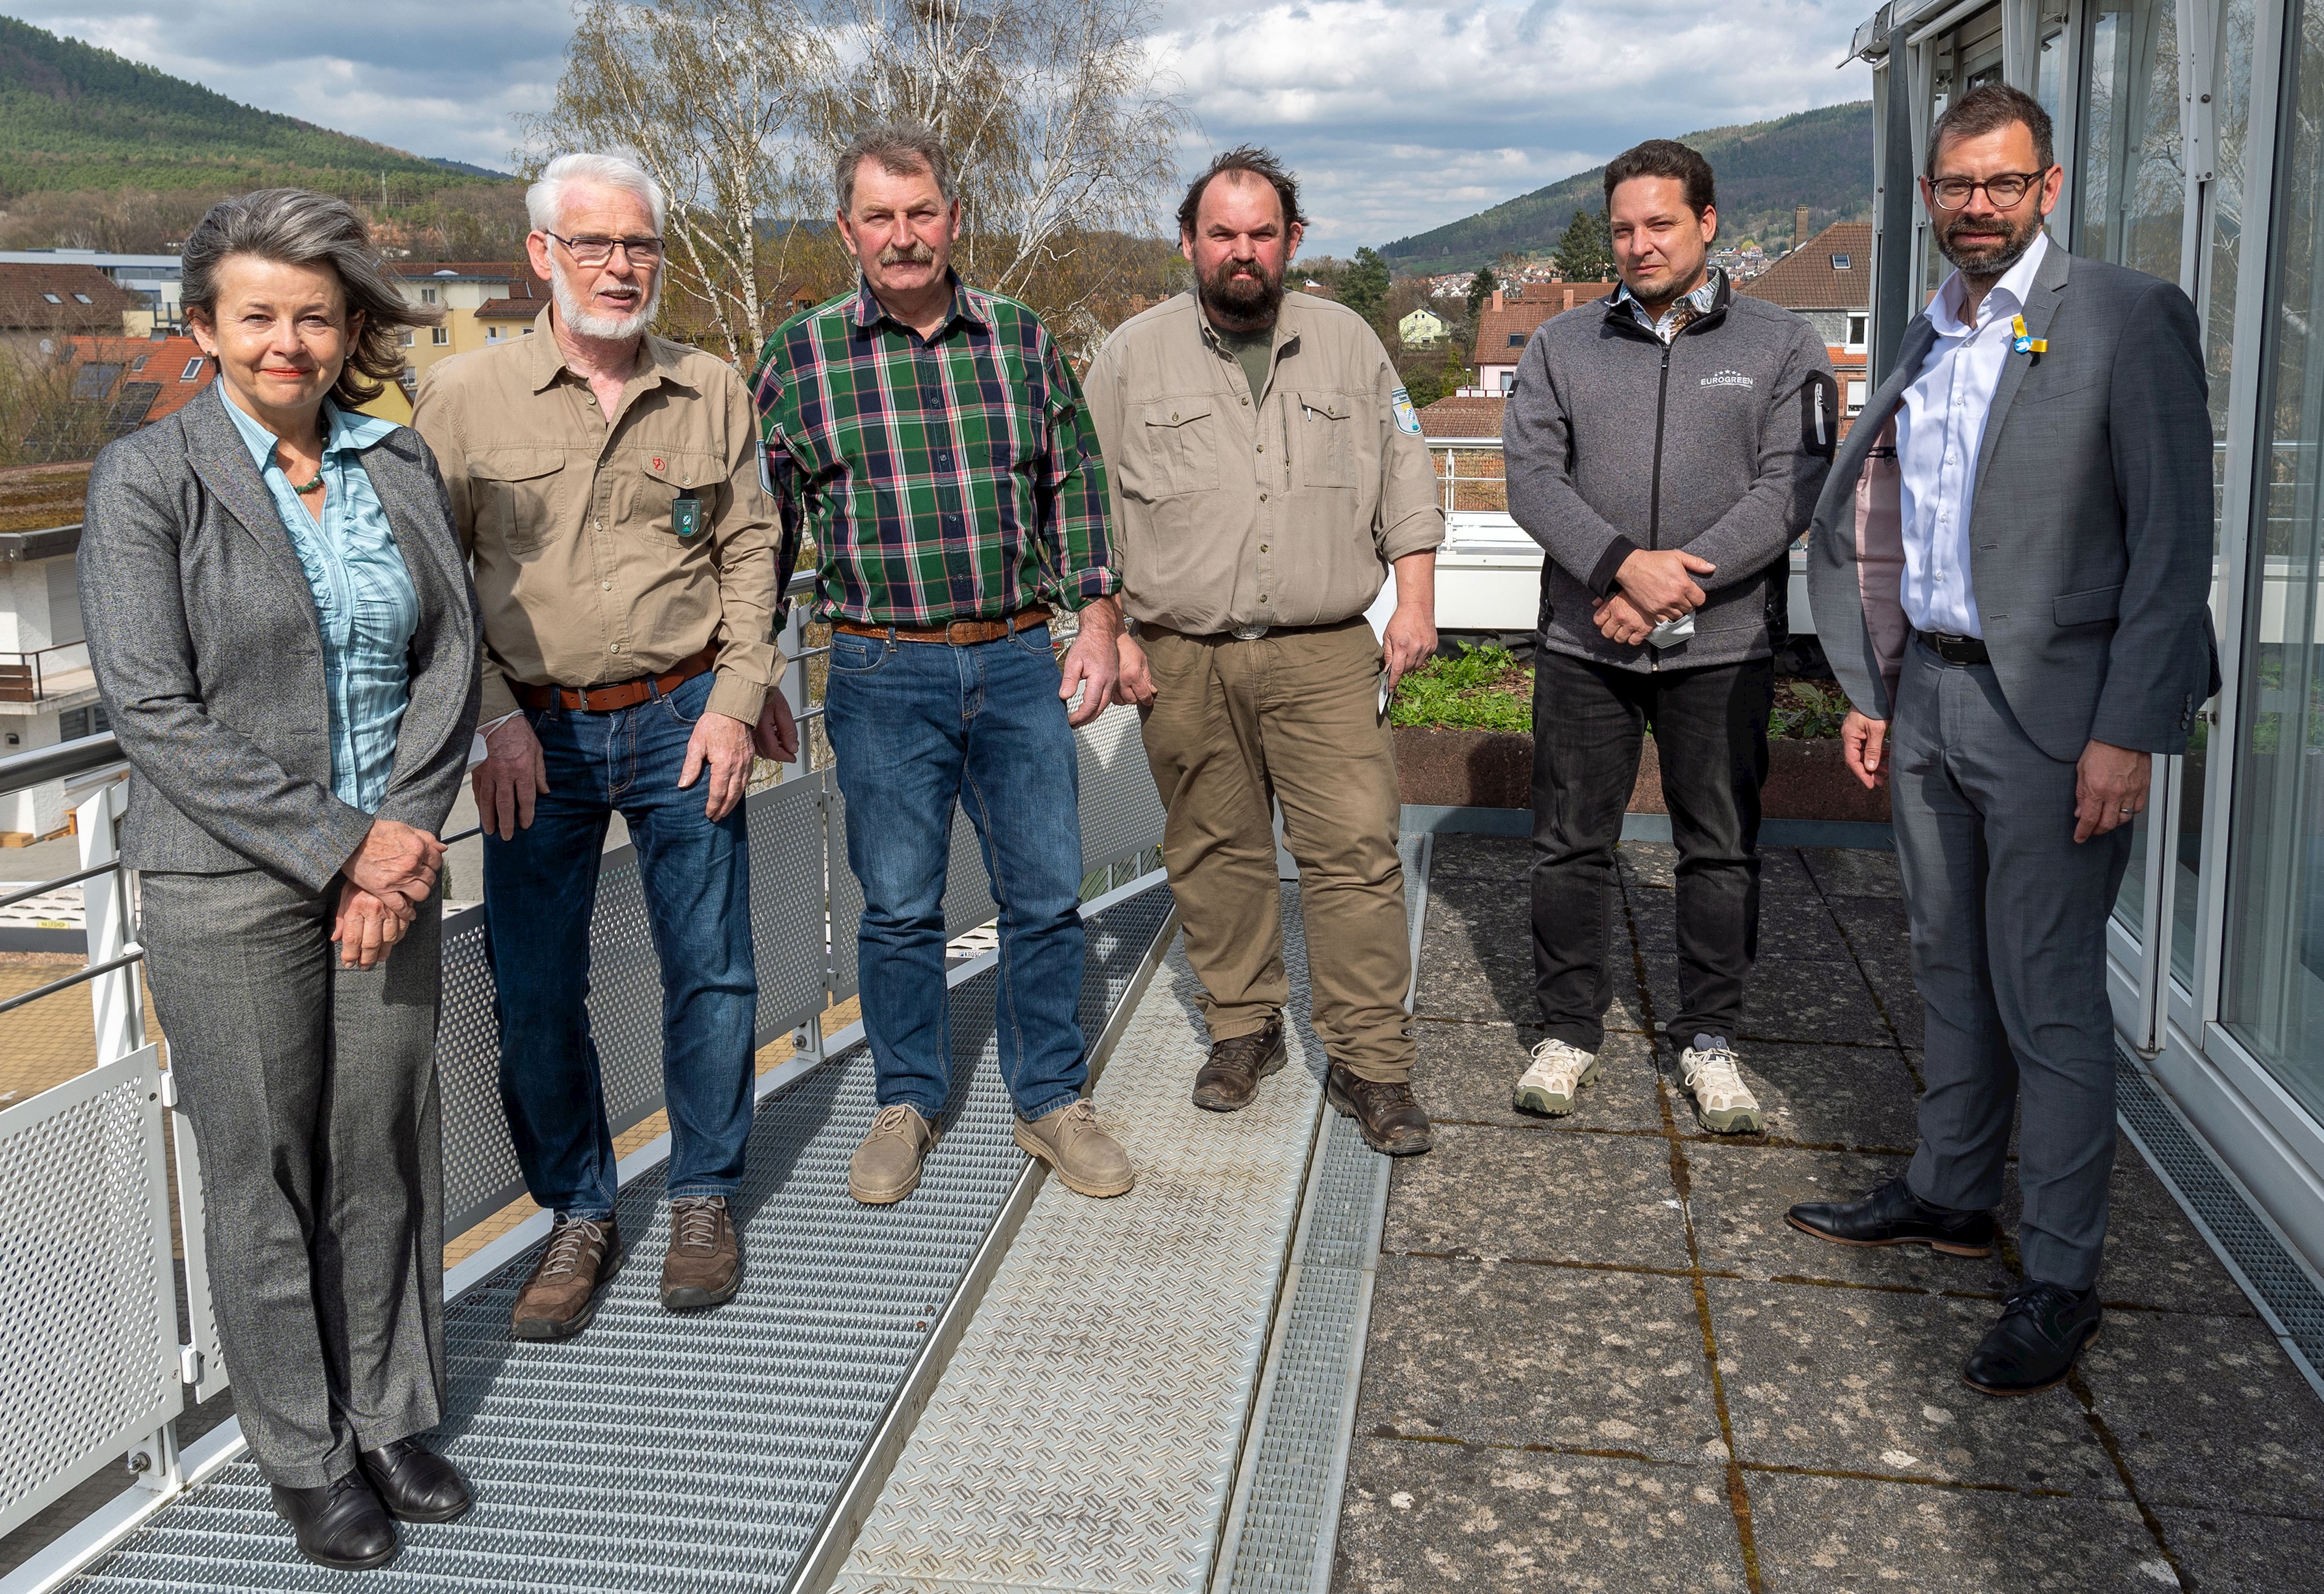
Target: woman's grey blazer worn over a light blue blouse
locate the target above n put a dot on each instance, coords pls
(210, 656)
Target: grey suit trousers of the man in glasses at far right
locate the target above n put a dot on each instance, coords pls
(2009, 952)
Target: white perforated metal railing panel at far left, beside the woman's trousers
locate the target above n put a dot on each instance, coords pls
(87, 1295)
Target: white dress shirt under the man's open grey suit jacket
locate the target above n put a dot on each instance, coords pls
(1939, 429)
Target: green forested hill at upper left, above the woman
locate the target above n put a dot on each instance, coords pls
(85, 120)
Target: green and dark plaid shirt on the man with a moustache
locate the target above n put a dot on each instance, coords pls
(949, 478)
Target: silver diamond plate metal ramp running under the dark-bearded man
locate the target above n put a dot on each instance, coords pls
(1086, 1433)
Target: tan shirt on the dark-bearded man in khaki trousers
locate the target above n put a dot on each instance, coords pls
(1258, 510)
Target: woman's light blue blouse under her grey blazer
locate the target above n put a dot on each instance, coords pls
(361, 596)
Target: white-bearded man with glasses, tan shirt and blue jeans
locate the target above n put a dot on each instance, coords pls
(608, 489)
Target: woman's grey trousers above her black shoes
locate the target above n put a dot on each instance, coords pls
(315, 1107)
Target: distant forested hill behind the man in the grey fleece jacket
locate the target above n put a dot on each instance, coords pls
(1816, 159)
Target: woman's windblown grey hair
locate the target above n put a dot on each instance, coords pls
(299, 227)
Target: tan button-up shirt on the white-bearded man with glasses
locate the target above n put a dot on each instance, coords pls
(568, 524)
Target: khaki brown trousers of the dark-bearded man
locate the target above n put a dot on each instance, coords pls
(1296, 719)
